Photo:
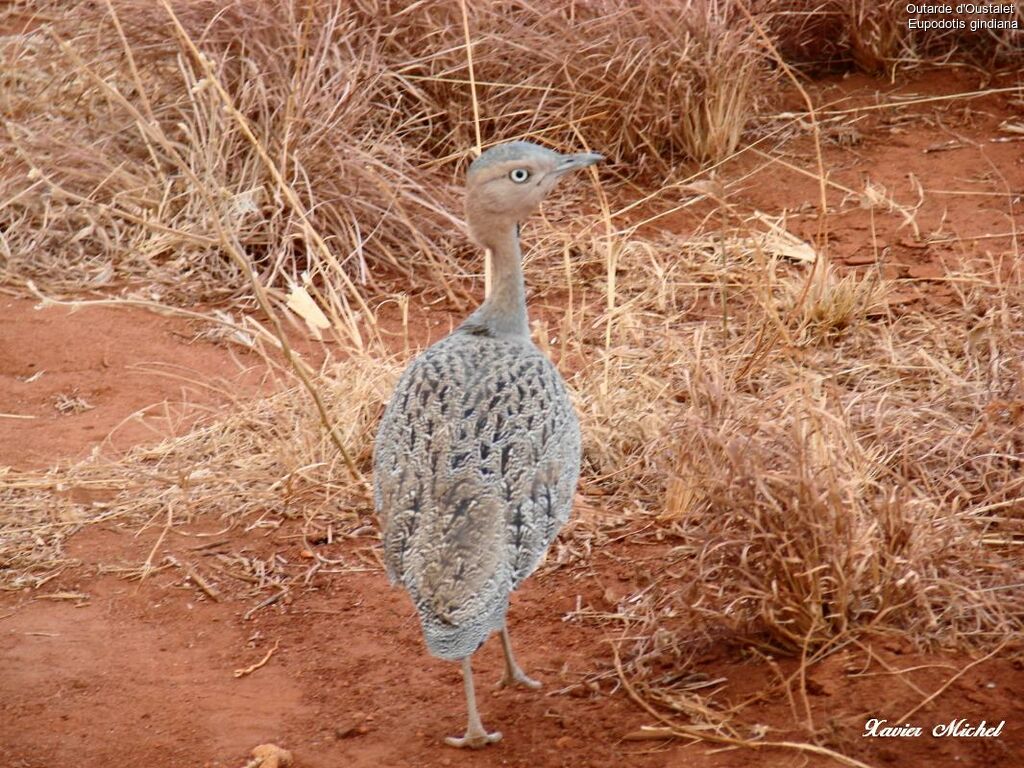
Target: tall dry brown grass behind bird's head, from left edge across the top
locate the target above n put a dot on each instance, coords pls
(325, 138)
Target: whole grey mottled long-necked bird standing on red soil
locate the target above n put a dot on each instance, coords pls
(478, 454)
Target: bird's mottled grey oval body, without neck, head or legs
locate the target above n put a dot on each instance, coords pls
(477, 464)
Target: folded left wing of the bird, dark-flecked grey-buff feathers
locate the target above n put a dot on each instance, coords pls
(442, 518)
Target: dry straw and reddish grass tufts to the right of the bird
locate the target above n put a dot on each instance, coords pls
(827, 465)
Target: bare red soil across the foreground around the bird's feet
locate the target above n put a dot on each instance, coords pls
(130, 674)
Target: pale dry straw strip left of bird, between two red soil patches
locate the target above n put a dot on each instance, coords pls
(266, 462)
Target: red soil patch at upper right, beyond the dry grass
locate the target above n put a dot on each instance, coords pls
(949, 163)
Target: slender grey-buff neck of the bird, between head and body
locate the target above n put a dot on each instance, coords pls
(504, 312)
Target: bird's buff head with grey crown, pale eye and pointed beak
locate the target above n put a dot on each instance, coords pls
(507, 183)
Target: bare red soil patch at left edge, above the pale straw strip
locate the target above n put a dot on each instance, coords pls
(105, 376)
